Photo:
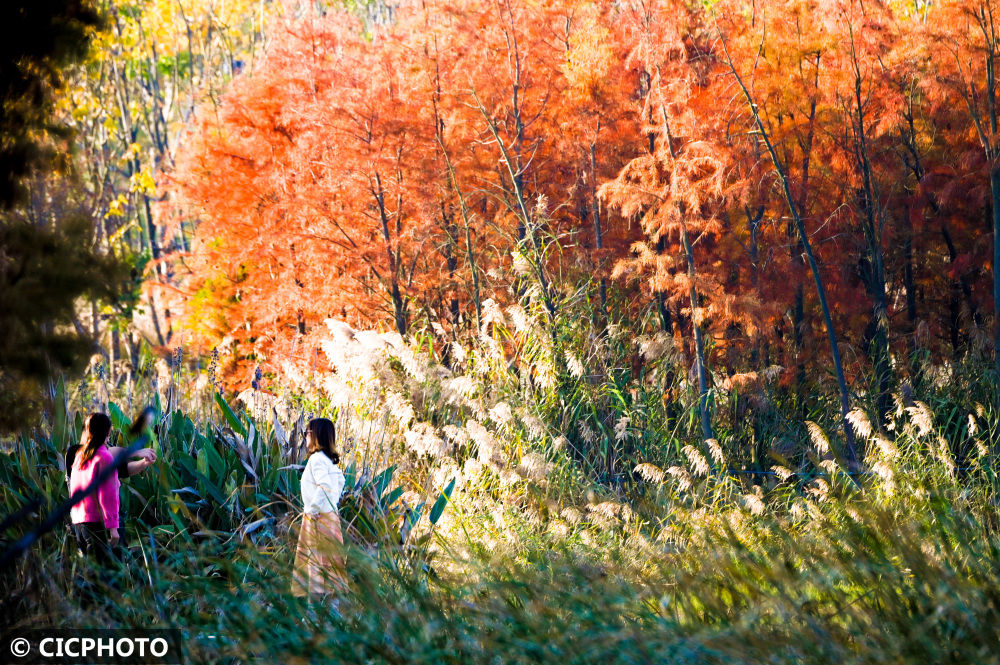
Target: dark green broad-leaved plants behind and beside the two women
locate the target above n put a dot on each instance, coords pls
(236, 481)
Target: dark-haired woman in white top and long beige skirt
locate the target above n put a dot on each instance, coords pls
(319, 565)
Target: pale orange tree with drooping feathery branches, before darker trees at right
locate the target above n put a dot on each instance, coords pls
(678, 186)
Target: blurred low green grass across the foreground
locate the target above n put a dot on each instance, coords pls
(872, 587)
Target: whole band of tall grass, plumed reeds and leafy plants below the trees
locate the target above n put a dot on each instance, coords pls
(536, 499)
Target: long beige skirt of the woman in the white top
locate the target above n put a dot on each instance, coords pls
(319, 560)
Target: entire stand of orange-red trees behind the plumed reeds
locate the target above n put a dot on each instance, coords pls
(799, 170)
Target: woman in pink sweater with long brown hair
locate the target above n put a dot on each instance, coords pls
(95, 518)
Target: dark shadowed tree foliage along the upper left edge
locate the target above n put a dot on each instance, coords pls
(47, 261)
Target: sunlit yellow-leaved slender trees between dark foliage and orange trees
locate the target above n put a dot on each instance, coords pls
(127, 101)
